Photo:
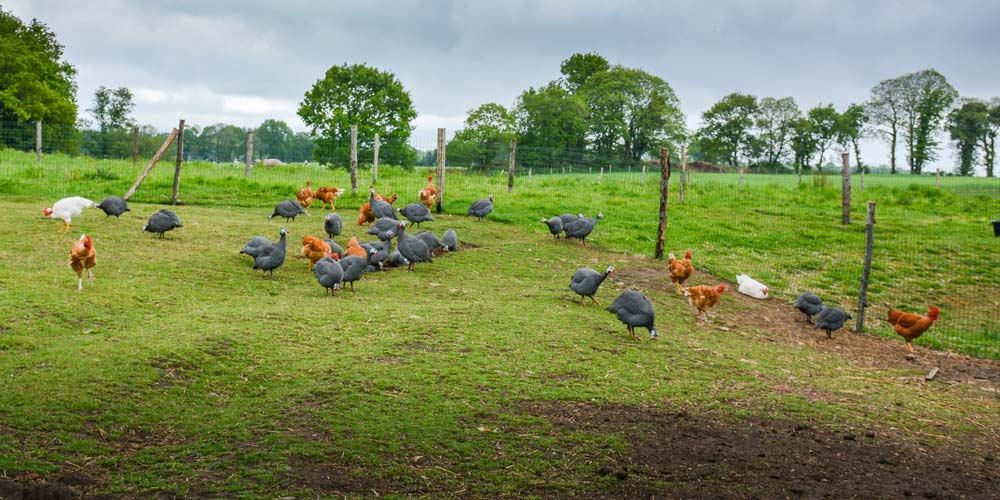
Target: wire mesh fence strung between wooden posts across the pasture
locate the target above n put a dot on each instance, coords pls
(934, 244)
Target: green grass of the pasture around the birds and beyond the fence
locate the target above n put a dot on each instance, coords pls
(229, 381)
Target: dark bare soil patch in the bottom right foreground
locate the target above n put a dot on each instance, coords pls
(678, 455)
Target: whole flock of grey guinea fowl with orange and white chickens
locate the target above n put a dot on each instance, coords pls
(333, 266)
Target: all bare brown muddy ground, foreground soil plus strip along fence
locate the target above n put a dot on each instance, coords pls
(674, 454)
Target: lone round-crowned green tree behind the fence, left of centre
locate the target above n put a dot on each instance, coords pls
(372, 99)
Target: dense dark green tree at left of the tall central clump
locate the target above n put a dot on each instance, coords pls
(552, 125)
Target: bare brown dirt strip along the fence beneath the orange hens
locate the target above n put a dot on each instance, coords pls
(772, 320)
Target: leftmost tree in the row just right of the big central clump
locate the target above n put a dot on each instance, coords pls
(727, 128)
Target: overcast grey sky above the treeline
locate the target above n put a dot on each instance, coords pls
(241, 62)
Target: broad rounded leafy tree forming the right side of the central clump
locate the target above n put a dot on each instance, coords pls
(632, 113)
